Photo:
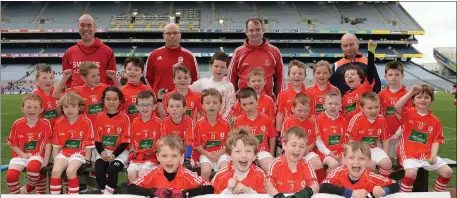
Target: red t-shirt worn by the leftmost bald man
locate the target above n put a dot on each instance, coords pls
(98, 53)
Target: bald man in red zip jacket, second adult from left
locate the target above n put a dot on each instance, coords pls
(160, 63)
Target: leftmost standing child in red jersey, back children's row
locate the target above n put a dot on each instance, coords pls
(45, 89)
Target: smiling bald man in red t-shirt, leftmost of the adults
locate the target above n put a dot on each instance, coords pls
(88, 49)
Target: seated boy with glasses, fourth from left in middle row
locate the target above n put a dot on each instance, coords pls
(145, 130)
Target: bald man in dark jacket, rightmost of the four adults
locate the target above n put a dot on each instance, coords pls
(350, 47)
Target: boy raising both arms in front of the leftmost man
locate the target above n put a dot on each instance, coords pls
(92, 89)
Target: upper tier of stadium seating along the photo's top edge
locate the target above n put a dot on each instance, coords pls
(293, 15)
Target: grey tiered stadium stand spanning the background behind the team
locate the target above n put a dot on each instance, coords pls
(321, 21)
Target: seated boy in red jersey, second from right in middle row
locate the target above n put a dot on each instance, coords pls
(370, 127)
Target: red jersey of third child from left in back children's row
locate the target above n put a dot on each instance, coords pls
(130, 91)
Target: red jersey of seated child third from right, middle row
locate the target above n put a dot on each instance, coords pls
(332, 132)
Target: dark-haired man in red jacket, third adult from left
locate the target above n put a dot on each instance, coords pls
(257, 52)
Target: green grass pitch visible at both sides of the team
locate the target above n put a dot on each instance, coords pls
(442, 107)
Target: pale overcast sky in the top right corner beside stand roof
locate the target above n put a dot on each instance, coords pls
(438, 19)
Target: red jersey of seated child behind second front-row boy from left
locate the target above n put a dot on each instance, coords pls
(261, 127)
